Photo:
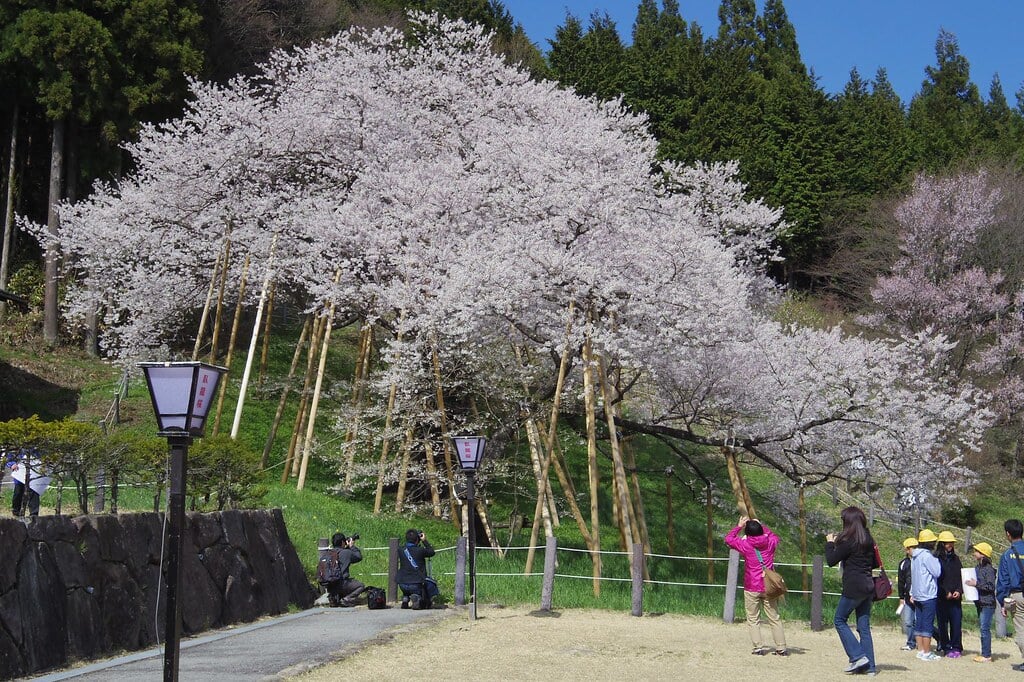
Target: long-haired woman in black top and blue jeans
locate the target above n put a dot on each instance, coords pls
(856, 548)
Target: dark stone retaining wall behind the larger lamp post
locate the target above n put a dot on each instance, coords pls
(80, 588)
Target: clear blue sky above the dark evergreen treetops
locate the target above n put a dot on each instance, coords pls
(835, 36)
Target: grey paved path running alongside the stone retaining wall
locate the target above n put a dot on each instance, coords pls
(271, 650)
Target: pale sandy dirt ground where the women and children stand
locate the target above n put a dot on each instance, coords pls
(520, 645)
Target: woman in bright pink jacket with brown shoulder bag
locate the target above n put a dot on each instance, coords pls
(758, 538)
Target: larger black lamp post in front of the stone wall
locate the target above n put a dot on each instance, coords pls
(182, 395)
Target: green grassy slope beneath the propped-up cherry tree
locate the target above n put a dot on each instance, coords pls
(318, 513)
